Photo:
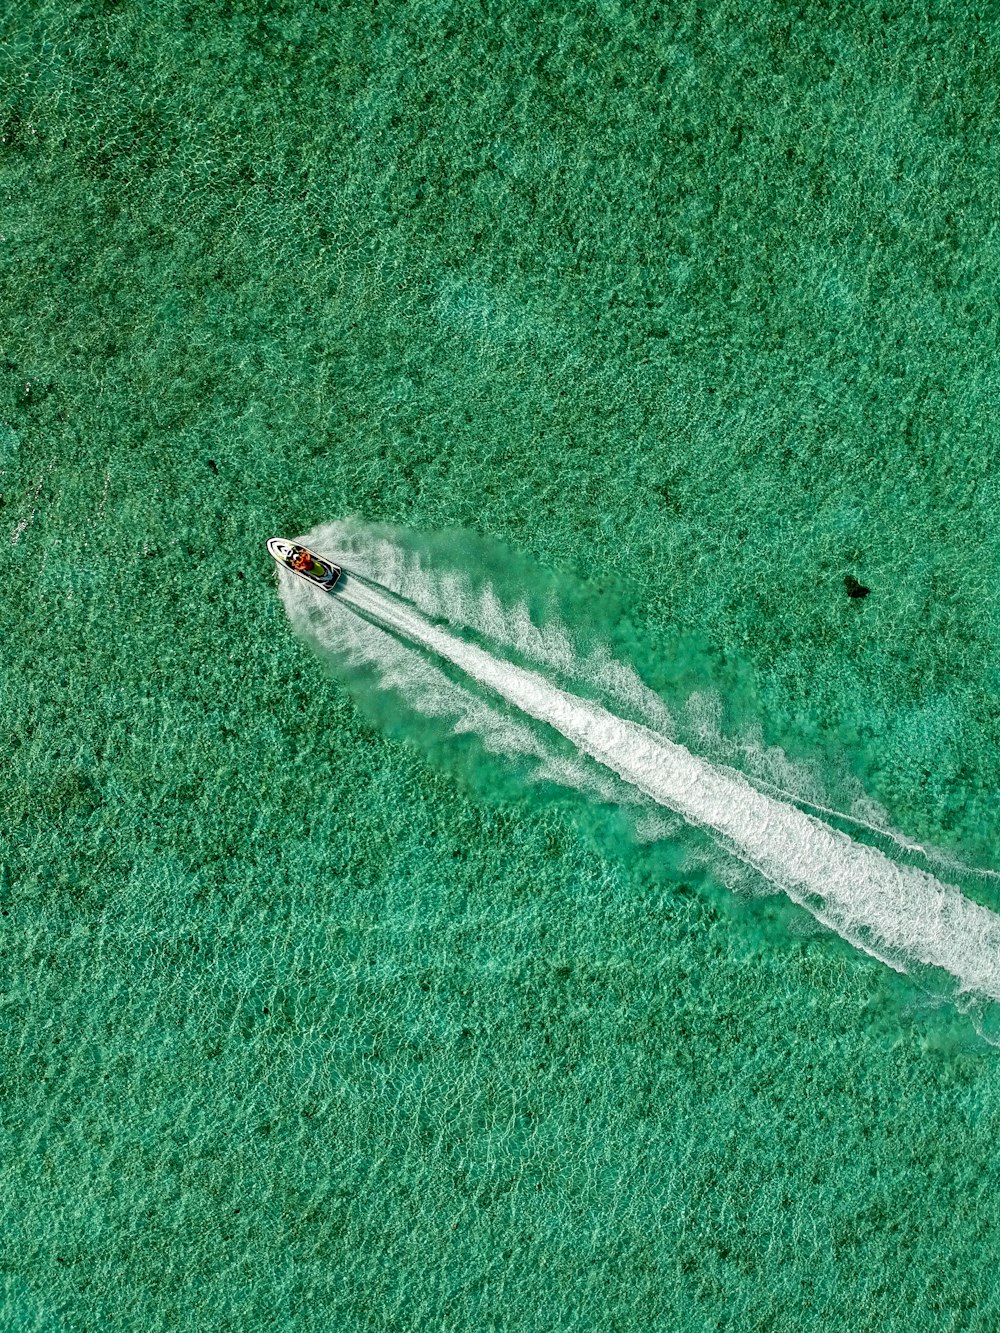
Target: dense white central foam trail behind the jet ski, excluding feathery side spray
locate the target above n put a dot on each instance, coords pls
(898, 914)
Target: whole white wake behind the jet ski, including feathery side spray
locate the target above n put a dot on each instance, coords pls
(899, 914)
